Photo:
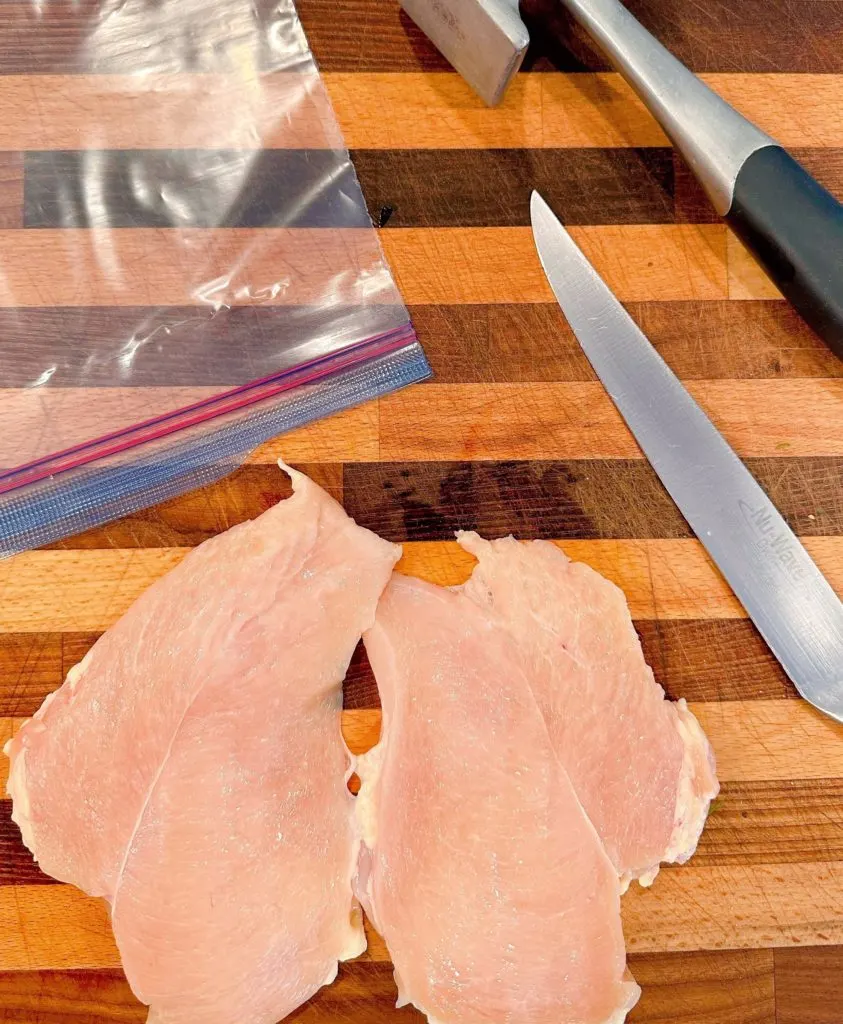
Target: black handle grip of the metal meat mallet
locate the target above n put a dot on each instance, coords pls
(795, 230)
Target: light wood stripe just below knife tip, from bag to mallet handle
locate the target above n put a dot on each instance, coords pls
(433, 266)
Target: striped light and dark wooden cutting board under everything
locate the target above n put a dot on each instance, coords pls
(515, 435)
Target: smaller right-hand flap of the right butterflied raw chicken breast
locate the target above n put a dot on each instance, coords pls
(641, 765)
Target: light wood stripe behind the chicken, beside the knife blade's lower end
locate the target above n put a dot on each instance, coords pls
(753, 741)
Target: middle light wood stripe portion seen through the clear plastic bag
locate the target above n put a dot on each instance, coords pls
(194, 267)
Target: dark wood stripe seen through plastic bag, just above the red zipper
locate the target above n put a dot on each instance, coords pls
(171, 346)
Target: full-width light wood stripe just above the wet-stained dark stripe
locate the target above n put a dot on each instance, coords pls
(458, 422)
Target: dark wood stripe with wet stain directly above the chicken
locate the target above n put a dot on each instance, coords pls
(430, 501)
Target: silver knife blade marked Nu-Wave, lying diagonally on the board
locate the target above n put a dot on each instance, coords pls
(791, 603)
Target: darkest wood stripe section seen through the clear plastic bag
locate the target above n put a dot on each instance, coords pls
(190, 189)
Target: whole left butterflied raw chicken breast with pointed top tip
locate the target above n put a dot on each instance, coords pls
(192, 769)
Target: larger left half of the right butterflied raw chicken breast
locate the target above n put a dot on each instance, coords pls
(483, 874)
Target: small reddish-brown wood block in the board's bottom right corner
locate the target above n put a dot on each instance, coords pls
(809, 986)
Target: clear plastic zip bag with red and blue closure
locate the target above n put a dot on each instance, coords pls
(196, 270)
